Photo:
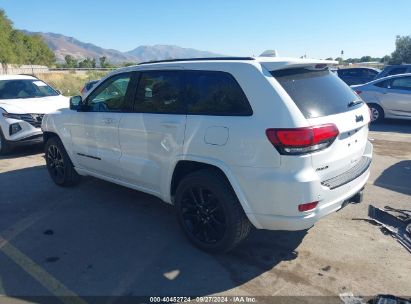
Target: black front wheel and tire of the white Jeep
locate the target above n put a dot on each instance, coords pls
(59, 165)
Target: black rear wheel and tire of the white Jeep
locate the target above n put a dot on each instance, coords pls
(209, 212)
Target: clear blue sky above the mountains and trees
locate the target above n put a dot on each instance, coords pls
(293, 27)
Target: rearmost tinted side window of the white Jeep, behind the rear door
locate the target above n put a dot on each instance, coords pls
(214, 93)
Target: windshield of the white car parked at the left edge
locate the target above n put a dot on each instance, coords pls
(25, 88)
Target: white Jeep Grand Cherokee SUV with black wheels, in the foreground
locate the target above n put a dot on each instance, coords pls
(275, 143)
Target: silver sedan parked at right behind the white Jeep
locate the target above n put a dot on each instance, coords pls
(388, 97)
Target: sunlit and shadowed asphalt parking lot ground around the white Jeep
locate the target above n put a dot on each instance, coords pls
(102, 239)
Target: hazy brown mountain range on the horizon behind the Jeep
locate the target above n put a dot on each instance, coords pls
(63, 45)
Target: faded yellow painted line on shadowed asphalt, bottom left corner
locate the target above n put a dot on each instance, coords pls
(54, 286)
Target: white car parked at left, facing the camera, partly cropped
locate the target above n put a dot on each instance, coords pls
(23, 102)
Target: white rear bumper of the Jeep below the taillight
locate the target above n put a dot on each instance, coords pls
(273, 197)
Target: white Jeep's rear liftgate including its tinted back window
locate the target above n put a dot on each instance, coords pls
(324, 99)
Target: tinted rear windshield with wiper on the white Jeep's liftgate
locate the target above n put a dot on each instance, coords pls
(316, 93)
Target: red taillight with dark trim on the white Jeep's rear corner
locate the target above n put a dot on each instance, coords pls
(302, 140)
